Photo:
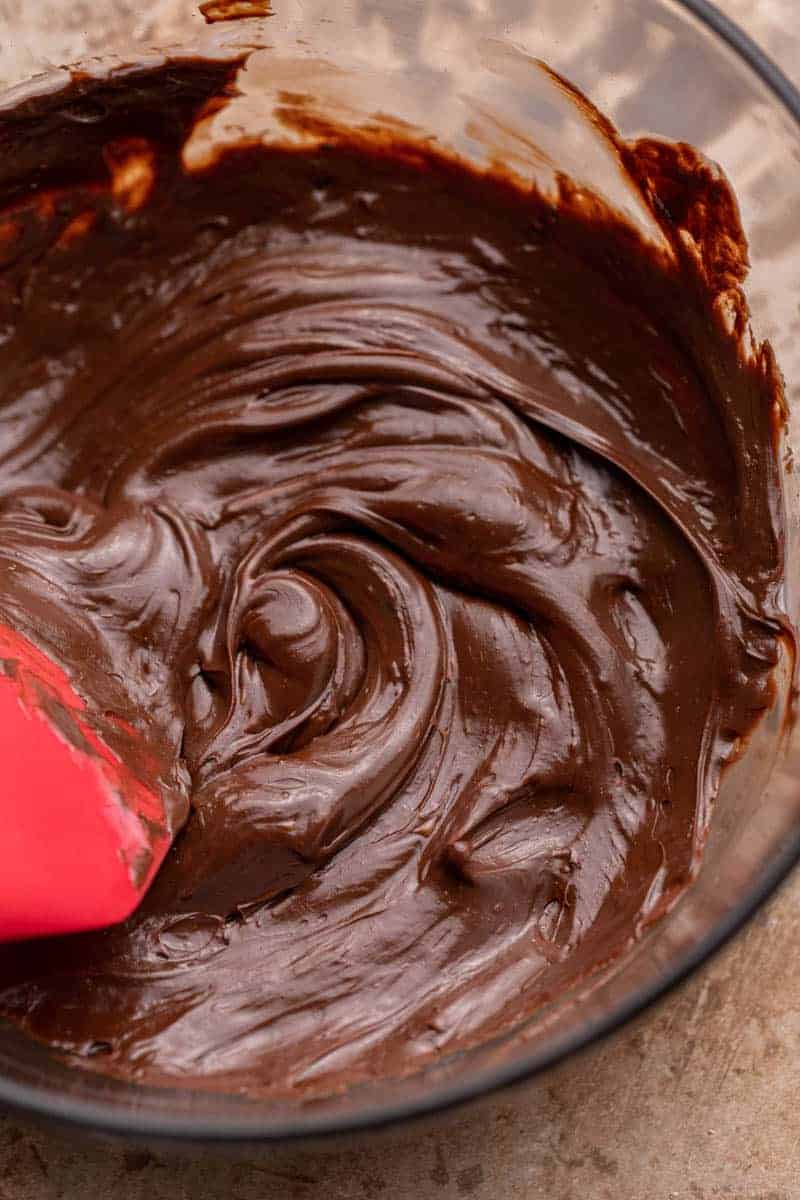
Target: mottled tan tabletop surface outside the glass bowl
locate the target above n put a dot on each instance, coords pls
(700, 1100)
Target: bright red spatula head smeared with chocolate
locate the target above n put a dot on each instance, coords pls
(81, 837)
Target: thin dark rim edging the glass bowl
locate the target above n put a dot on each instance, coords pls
(161, 1127)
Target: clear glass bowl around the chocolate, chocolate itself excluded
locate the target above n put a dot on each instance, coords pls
(465, 71)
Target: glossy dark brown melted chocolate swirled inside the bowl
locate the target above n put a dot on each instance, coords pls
(430, 532)
